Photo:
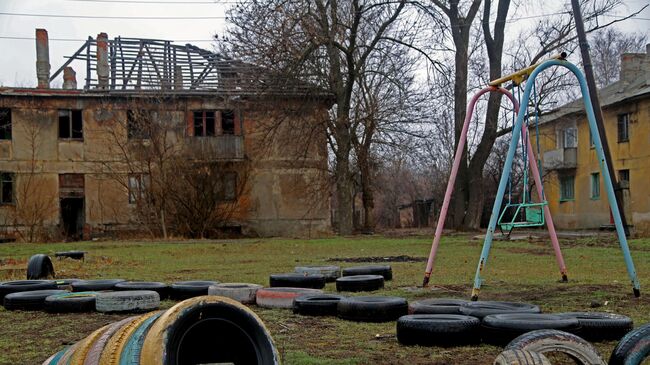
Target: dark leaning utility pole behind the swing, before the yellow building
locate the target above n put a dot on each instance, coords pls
(593, 95)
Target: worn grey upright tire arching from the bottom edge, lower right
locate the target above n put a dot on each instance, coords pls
(545, 341)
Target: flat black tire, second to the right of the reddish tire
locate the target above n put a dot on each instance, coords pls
(372, 309)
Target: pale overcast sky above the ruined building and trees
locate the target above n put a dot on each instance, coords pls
(18, 56)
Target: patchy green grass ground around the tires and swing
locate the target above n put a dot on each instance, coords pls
(522, 270)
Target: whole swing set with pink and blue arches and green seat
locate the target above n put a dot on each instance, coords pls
(527, 213)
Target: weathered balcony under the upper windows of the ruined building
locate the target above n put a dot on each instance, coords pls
(221, 147)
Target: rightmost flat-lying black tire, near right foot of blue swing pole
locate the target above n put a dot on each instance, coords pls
(599, 326)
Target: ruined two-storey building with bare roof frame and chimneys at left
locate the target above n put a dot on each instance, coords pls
(157, 136)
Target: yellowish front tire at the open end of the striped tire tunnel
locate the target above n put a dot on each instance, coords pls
(209, 329)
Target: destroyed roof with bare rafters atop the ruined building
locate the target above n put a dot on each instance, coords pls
(151, 65)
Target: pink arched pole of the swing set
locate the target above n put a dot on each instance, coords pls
(452, 179)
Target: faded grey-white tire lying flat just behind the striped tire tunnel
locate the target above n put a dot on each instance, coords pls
(127, 301)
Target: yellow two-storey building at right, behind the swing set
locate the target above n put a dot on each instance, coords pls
(573, 181)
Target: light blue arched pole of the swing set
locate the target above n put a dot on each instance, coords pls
(516, 134)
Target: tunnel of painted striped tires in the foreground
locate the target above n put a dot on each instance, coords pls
(201, 330)
